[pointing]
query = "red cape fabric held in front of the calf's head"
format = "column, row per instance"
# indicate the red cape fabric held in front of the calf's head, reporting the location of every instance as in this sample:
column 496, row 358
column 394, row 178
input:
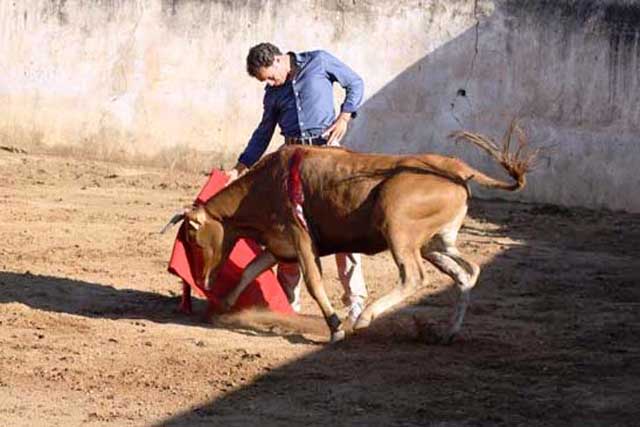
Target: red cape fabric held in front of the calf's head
column 186, row 263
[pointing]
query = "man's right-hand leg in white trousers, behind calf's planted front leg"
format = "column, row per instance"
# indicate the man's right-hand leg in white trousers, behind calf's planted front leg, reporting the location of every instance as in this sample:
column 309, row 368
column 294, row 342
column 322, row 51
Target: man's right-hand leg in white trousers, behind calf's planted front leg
column 355, row 290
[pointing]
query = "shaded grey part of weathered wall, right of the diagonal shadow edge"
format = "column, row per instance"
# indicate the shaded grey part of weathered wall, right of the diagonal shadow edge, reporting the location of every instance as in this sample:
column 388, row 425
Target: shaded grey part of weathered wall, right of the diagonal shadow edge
column 570, row 68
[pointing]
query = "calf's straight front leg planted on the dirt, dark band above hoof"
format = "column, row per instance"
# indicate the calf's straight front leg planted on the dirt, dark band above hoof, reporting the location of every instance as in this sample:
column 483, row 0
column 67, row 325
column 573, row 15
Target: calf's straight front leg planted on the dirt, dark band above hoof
column 310, row 265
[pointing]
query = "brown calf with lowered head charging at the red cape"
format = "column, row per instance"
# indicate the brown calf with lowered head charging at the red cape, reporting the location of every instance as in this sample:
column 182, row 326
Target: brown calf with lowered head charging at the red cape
column 412, row 205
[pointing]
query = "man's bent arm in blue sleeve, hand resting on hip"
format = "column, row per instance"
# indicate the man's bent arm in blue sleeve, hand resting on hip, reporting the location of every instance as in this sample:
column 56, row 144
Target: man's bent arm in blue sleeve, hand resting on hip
column 353, row 84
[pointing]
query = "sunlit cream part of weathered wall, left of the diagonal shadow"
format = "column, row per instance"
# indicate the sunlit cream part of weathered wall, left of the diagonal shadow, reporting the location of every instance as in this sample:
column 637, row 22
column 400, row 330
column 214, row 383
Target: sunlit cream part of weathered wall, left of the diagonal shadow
column 141, row 75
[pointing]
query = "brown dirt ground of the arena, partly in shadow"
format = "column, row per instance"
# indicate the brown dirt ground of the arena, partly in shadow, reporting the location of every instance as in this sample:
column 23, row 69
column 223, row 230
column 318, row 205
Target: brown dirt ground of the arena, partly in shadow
column 89, row 334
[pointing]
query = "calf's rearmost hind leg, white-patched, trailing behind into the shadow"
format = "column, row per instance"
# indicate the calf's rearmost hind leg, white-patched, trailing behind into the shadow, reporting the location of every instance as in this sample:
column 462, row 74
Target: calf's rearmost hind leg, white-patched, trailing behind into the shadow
column 445, row 256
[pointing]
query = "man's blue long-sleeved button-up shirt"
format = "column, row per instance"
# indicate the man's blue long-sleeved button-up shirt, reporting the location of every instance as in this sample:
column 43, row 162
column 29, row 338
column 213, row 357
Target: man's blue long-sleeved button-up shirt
column 303, row 105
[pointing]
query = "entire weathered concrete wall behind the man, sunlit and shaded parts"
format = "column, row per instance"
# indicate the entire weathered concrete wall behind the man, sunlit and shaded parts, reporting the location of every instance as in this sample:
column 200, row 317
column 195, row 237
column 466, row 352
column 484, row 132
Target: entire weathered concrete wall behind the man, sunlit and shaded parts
column 140, row 76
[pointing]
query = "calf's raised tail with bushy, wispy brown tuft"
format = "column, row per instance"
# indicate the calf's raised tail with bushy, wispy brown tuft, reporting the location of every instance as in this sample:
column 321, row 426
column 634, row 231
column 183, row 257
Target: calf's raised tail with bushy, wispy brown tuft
column 516, row 162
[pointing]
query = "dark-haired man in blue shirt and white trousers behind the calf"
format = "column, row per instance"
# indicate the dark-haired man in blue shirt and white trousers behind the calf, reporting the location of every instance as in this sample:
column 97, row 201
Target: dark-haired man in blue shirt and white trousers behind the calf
column 299, row 98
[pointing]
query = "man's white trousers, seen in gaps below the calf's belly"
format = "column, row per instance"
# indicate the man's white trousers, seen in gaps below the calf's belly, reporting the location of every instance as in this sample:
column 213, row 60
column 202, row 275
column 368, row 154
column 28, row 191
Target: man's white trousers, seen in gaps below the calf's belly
column 349, row 272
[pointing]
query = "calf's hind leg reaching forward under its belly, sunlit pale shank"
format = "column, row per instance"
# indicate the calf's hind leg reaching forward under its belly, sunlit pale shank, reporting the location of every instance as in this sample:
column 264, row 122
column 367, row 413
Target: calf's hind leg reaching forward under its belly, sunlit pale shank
column 409, row 264
